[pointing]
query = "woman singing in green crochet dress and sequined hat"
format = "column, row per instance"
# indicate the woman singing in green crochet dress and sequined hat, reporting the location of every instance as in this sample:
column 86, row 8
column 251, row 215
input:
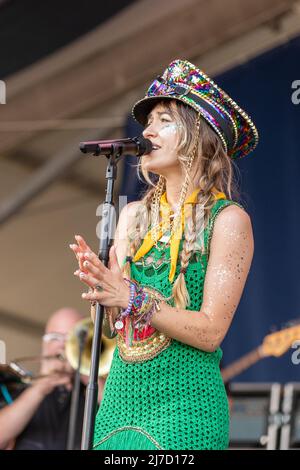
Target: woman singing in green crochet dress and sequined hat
column 177, row 270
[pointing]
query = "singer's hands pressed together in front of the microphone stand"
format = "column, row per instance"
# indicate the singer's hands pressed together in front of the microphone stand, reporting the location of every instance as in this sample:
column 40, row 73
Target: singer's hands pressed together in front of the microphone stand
column 93, row 273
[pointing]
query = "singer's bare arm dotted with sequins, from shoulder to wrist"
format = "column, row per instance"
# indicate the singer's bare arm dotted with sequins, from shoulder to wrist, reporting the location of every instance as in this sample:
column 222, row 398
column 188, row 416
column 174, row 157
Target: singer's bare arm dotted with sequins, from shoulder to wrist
column 231, row 254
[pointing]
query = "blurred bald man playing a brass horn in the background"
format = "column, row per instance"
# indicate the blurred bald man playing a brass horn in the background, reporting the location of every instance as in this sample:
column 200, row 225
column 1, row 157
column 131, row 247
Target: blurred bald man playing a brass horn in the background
column 39, row 417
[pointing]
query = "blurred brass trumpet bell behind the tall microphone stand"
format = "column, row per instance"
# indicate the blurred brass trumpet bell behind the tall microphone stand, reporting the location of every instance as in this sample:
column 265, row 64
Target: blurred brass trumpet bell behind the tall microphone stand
column 72, row 348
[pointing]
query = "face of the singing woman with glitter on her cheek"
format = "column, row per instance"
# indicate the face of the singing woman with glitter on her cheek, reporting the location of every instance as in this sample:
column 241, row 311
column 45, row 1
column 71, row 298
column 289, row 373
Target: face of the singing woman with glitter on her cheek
column 162, row 130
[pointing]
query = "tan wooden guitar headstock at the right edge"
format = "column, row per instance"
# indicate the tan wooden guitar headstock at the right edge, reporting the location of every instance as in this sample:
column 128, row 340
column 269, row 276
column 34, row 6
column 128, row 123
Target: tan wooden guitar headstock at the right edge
column 279, row 342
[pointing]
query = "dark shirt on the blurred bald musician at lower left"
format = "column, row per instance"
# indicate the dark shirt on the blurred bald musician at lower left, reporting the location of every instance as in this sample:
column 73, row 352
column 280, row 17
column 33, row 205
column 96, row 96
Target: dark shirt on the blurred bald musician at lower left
column 48, row 428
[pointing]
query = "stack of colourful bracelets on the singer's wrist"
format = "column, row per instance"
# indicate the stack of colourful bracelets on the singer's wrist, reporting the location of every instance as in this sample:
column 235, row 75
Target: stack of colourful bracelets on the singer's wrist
column 138, row 314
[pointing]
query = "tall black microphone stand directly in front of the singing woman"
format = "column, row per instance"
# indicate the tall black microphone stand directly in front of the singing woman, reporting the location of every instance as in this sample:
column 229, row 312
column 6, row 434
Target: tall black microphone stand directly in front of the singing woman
column 105, row 233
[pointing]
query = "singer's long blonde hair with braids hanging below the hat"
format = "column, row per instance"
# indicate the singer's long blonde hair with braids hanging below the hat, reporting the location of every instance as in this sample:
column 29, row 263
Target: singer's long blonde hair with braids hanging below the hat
column 212, row 168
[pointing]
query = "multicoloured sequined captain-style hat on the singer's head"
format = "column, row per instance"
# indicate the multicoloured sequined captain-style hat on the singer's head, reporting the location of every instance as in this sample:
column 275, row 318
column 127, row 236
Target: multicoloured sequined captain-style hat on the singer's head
column 183, row 81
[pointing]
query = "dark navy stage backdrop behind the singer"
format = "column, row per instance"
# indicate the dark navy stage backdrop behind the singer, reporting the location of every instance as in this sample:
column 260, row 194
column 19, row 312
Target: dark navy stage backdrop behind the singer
column 270, row 190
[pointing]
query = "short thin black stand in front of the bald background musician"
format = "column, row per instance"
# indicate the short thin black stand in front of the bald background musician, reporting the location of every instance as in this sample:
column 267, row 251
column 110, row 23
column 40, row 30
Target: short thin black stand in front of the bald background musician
column 81, row 336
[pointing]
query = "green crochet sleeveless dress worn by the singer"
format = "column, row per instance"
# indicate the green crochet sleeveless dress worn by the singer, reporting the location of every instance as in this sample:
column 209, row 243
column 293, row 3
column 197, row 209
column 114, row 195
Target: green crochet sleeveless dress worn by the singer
column 176, row 400
